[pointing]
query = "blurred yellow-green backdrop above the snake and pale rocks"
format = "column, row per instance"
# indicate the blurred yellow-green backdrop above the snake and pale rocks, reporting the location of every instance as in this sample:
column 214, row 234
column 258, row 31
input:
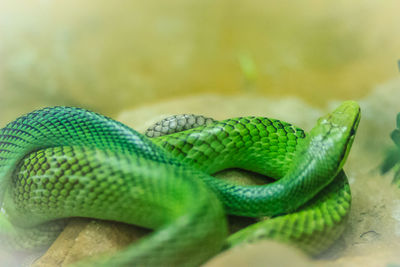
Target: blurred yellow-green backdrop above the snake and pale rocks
column 113, row 55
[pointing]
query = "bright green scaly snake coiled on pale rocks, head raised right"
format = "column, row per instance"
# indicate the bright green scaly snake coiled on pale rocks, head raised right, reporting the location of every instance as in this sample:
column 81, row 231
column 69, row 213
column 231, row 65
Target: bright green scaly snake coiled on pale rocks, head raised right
column 63, row 162
